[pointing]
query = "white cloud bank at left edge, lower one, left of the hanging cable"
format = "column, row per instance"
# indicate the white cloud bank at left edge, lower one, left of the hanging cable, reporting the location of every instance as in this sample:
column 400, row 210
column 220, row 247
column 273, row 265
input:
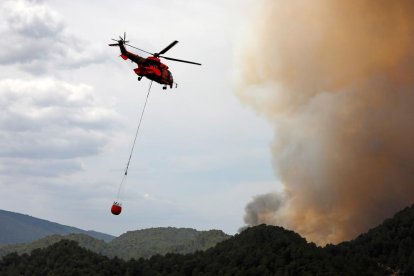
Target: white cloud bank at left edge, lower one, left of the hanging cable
column 51, row 121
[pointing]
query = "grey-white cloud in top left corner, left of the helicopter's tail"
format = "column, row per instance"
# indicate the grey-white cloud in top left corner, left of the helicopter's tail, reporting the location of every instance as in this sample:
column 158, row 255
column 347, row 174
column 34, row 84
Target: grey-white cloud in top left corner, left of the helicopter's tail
column 34, row 37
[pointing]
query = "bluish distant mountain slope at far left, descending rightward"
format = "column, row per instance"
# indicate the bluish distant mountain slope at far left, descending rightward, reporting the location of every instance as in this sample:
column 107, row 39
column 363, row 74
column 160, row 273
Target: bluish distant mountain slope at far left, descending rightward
column 19, row 228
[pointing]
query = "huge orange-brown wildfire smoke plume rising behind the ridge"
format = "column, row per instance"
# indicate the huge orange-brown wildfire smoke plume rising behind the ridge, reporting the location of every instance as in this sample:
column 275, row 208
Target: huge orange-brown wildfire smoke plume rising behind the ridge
column 336, row 79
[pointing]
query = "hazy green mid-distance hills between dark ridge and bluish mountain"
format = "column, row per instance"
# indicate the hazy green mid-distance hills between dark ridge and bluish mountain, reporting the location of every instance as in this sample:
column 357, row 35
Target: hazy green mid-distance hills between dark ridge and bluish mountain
column 134, row 244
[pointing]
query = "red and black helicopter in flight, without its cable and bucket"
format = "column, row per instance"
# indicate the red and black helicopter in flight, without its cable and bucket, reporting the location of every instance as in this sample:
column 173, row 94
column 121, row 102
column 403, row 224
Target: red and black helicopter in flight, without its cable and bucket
column 150, row 67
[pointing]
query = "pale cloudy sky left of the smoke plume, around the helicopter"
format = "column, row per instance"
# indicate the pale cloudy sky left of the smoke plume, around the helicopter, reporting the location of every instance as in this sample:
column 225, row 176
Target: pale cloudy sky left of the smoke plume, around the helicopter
column 70, row 107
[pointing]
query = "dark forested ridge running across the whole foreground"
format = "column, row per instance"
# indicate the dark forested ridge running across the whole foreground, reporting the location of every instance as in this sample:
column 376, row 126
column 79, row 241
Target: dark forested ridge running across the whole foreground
column 261, row 250
